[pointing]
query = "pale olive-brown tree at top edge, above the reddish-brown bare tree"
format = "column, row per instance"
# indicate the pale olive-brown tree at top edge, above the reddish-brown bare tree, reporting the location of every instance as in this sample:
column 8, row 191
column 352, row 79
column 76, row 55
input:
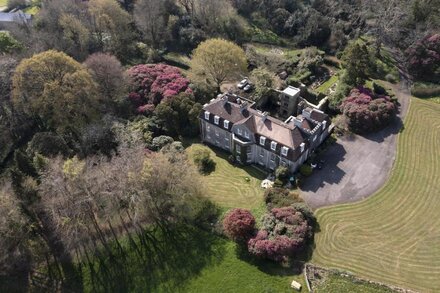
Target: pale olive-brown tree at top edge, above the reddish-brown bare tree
column 111, row 27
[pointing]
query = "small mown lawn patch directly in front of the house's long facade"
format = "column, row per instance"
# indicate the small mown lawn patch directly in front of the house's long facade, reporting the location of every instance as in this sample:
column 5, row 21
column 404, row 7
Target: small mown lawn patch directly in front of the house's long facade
column 232, row 186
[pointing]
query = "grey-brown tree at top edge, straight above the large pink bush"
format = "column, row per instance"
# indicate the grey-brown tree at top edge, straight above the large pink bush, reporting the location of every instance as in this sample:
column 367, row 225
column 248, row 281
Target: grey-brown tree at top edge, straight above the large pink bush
column 151, row 18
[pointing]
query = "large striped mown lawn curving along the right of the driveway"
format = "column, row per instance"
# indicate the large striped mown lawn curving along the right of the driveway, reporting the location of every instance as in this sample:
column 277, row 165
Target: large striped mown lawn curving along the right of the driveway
column 393, row 236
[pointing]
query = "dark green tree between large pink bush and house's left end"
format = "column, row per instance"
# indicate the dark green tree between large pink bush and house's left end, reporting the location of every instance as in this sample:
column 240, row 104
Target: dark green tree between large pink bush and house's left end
column 180, row 115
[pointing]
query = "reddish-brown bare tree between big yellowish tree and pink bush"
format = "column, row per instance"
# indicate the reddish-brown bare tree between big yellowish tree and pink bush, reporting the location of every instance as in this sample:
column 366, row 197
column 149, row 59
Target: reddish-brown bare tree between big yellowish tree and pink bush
column 108, row 73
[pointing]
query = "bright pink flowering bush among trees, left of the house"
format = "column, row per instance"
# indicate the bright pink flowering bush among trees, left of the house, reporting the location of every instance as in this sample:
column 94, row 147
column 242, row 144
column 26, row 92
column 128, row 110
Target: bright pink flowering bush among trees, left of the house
column 153, row 83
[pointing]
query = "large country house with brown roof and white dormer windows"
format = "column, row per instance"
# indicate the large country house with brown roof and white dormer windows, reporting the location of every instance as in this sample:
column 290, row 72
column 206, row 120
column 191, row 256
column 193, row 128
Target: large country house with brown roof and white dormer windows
column 231, row 123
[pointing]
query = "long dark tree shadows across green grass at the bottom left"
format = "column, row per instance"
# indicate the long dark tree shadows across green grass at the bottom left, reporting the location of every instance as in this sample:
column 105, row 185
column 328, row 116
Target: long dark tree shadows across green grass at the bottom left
column 165, row 265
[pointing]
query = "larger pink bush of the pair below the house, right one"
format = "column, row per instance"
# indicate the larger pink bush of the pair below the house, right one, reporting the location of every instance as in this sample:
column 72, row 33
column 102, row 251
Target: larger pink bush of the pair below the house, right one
column 285, row 232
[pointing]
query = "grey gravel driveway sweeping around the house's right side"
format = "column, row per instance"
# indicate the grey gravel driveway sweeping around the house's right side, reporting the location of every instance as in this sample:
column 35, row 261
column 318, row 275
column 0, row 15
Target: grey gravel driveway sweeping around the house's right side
column 356, row 166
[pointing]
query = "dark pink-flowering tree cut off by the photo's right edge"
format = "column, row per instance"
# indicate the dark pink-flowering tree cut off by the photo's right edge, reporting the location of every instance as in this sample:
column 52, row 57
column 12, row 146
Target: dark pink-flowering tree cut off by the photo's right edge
column 424, row 58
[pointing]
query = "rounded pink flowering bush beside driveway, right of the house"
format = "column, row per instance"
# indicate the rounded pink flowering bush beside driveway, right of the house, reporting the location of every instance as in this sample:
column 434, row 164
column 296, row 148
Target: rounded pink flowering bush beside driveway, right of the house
column 367, row 111
